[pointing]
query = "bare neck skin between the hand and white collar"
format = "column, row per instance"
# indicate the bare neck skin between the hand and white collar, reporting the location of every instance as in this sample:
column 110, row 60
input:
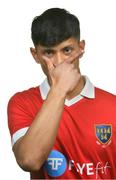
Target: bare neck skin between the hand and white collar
column 77, row 90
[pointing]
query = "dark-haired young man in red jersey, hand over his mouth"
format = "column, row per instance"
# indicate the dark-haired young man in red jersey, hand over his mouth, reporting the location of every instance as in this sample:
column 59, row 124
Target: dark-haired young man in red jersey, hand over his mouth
column 66, row 127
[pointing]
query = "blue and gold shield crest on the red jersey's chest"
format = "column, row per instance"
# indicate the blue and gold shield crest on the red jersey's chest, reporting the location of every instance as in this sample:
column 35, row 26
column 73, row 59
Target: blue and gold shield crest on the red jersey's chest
column 103, row 133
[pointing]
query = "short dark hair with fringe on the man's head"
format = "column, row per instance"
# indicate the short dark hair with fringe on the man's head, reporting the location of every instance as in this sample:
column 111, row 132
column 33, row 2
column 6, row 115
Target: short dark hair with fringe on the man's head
column 54, row 26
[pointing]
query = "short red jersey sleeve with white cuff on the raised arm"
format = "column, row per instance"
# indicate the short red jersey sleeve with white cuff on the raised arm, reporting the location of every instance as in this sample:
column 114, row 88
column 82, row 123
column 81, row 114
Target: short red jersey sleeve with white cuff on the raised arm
column 19, row 116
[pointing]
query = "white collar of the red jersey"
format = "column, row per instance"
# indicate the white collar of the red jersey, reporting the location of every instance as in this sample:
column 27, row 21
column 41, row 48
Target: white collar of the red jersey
column 88, row 91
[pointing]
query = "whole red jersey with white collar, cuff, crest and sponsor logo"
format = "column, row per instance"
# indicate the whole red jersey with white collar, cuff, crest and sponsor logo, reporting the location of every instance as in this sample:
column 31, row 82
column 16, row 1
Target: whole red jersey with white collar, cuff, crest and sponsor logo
column 85, row 146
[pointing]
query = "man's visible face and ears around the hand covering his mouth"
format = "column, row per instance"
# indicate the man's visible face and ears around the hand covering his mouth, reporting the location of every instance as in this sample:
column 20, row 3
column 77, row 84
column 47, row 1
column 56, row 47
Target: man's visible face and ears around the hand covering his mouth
column 58, row 54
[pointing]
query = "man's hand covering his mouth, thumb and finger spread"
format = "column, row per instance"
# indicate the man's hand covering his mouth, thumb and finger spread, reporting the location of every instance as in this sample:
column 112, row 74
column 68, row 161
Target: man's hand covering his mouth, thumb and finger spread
column 65, row 75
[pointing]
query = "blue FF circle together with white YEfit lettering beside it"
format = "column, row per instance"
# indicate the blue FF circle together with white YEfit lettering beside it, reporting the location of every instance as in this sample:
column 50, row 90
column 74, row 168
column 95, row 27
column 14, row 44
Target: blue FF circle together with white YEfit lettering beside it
column 56, row 165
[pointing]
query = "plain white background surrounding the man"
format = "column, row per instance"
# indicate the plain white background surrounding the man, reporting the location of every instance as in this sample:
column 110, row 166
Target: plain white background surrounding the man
column 18, row 70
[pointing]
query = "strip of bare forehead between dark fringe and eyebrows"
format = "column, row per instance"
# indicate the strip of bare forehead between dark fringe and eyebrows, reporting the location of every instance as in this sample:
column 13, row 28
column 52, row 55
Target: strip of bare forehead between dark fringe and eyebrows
column 69, row 42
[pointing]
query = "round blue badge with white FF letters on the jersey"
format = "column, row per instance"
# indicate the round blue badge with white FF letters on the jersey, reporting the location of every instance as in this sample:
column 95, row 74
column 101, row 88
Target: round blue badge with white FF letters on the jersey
column 56, row 164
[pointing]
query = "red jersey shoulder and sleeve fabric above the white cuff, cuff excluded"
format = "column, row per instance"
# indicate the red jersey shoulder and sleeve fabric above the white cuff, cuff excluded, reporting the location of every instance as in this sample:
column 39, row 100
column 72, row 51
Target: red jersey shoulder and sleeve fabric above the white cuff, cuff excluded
column 22, row 108
